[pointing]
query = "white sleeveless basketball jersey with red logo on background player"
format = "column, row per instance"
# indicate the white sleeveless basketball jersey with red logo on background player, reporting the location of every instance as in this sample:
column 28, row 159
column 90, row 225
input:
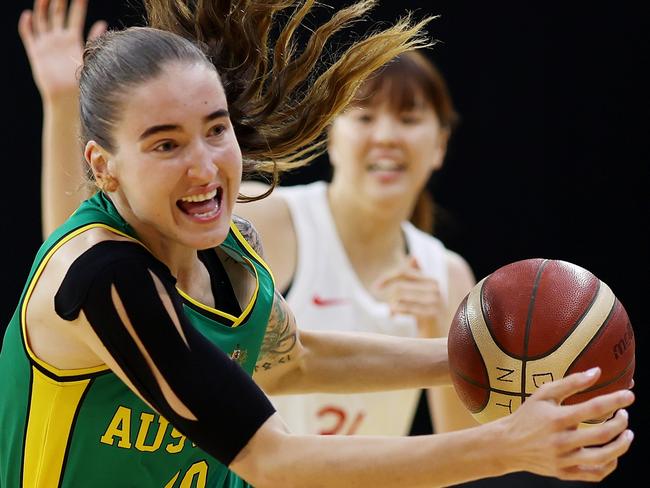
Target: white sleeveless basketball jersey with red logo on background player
column 326, row 294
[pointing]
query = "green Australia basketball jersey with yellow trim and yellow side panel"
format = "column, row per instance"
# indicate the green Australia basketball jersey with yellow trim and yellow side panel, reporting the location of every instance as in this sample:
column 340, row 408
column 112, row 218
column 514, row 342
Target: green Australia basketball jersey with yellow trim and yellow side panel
column 85, row 428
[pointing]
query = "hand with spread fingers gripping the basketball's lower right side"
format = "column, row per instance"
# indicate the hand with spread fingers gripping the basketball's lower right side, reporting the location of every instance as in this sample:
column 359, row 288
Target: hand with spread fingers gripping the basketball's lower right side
column 546, row 438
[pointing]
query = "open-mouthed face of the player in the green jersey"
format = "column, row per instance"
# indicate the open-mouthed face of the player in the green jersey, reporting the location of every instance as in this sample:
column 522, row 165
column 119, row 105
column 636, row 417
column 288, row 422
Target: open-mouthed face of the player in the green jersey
column 177, row 162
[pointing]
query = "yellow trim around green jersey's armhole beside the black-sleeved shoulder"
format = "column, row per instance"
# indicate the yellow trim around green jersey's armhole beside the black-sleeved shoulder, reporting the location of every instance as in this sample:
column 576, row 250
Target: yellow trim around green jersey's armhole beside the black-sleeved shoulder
column 28, row 294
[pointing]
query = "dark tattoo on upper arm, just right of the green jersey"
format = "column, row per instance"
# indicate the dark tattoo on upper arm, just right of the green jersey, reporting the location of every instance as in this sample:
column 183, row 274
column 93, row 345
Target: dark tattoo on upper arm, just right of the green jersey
column 281, row 336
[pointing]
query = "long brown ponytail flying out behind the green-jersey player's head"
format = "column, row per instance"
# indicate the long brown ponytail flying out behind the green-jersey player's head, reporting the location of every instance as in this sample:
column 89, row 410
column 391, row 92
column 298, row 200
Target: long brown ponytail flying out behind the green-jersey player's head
column 278, row 105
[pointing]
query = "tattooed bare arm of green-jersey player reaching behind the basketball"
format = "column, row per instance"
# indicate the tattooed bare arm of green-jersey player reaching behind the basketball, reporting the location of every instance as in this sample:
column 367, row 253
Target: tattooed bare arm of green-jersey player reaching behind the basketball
column 300, row 361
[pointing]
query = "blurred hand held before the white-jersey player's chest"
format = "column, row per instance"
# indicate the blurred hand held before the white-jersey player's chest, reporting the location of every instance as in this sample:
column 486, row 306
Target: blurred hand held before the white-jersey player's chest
column 407, row 290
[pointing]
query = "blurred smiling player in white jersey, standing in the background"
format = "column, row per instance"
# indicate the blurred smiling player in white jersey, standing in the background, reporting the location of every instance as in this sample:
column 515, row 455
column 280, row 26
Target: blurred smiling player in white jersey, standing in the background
column 348, row 258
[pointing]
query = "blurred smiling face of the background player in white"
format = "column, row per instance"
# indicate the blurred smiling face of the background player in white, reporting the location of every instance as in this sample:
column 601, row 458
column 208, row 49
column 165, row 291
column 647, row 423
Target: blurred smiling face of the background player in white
column 382, row 153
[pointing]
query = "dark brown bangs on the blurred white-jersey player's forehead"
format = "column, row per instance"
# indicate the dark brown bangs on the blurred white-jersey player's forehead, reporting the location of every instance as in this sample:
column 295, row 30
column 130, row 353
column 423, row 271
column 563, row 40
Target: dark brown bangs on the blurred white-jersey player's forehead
column 409, row 82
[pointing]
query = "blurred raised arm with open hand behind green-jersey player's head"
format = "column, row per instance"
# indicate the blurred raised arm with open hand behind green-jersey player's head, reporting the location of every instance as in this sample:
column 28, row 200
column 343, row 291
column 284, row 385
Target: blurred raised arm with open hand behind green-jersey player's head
column 53, row 38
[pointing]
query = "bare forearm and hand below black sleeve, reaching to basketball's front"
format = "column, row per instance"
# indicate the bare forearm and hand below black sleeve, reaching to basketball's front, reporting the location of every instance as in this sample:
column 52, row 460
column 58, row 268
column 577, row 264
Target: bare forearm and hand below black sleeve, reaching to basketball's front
column 541, row 437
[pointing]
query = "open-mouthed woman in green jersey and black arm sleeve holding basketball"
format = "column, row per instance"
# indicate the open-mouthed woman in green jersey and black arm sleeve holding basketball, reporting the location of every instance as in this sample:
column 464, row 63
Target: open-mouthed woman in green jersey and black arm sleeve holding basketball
column 144, row 311
